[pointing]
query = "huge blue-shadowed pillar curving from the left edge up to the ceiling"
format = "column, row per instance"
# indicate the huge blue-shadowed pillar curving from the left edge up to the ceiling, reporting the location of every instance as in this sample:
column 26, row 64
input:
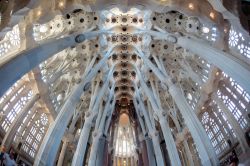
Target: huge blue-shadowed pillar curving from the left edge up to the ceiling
column 27, row 60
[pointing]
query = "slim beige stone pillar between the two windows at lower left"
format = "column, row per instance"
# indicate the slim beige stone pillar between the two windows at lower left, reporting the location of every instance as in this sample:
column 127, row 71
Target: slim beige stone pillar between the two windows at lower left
column 9, row 136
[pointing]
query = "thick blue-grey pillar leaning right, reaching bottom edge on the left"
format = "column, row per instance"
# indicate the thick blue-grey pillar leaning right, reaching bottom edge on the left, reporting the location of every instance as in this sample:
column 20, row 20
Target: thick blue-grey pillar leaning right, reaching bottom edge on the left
column 51, row 142
